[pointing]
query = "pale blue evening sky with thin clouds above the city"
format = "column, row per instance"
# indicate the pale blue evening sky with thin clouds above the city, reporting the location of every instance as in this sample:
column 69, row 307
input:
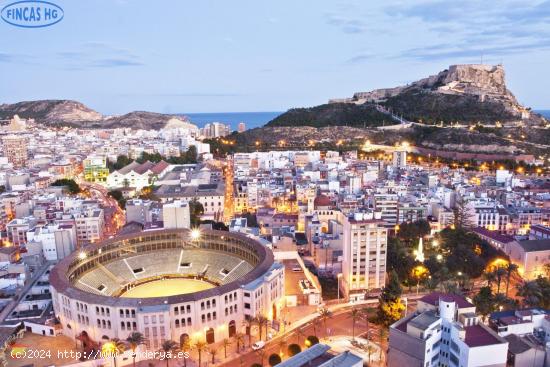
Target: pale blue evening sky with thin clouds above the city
column 177, row 56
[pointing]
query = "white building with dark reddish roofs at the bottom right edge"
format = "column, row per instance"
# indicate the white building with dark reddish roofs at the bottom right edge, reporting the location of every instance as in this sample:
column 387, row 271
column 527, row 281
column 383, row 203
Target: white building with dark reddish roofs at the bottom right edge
column 444, row 331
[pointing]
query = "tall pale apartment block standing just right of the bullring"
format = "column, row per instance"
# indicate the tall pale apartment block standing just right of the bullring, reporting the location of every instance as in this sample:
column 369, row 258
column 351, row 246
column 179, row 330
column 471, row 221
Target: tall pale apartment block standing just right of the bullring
column 364, row 255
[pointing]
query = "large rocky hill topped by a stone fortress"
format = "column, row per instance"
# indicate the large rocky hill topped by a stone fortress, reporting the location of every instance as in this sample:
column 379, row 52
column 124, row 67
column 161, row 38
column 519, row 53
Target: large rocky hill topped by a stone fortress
column 465, row 94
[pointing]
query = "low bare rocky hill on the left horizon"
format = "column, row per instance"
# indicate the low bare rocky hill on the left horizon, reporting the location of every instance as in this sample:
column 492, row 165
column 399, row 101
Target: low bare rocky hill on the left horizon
column 75, row 114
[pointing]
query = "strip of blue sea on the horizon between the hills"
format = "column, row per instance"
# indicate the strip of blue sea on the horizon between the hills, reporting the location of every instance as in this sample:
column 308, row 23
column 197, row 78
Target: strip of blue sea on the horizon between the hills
column 251, row 119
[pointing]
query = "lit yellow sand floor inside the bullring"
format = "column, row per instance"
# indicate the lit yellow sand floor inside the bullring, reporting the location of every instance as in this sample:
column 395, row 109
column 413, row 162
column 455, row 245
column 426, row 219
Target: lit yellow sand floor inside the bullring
column 167, row 287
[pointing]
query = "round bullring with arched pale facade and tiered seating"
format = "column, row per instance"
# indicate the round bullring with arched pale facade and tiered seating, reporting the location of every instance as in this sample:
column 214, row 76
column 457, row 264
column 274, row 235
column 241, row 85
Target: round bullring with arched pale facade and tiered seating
column 237, row 276
